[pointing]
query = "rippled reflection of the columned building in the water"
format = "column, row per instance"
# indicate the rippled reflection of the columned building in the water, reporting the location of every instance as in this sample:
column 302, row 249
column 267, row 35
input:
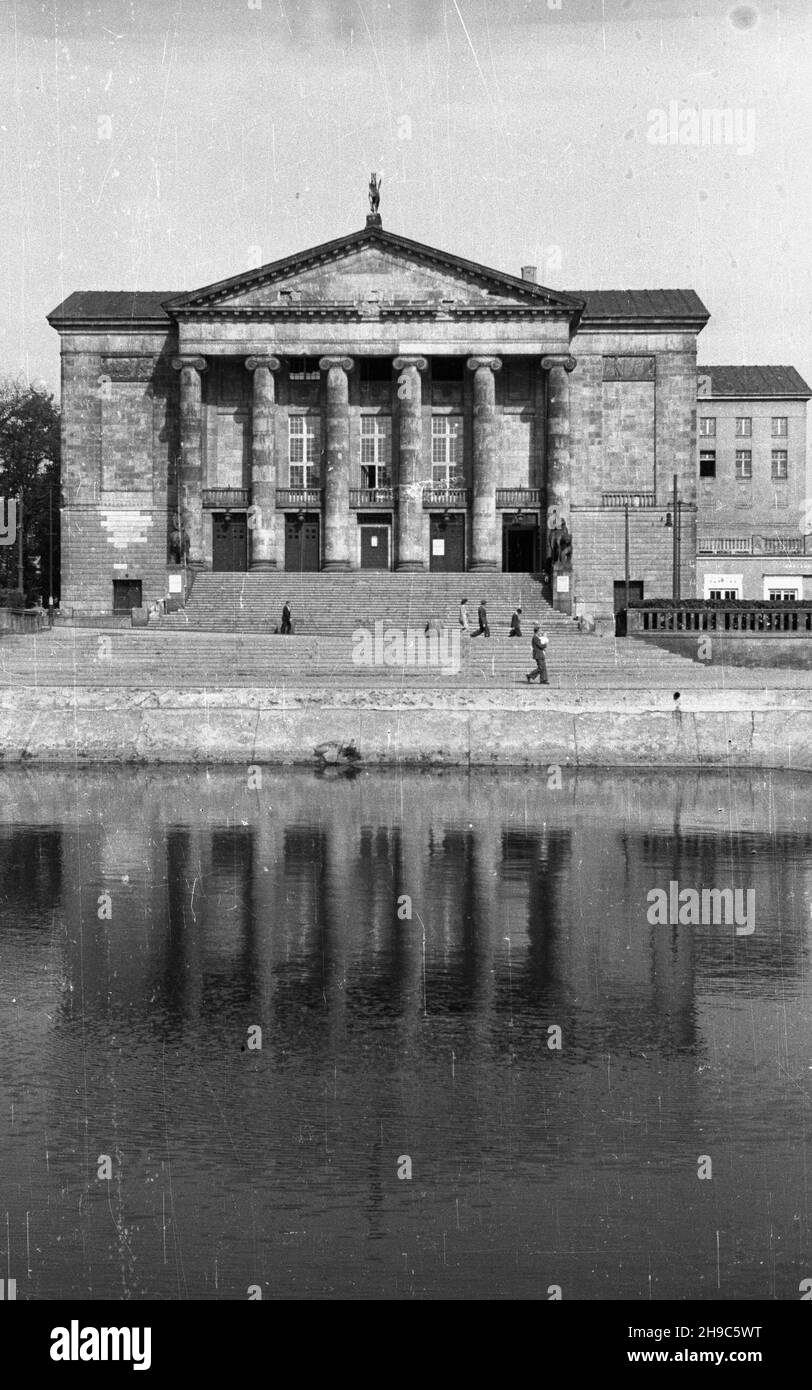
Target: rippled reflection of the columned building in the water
column 238, row 907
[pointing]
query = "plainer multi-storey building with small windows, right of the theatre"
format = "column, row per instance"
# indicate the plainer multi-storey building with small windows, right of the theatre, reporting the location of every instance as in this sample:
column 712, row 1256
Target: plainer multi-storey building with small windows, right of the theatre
column 754, row 526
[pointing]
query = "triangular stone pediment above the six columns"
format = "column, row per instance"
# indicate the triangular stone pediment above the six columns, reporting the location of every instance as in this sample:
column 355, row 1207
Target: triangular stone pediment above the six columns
column 373, row 268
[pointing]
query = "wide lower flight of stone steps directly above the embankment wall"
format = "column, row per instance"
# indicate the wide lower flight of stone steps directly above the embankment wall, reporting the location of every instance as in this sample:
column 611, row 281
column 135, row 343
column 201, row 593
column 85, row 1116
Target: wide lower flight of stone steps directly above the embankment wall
column 168, row 658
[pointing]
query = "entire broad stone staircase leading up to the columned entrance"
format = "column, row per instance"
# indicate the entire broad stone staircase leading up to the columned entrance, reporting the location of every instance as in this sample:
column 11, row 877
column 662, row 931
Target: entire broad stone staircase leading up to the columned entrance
column 226, row 639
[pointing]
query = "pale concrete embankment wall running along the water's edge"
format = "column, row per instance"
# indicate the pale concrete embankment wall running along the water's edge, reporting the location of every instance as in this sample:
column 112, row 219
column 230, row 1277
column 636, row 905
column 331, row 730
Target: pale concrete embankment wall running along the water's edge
column 745, row 728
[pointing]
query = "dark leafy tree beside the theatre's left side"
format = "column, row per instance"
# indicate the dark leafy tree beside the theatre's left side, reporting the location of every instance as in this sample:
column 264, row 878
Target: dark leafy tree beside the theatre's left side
column 30, row 468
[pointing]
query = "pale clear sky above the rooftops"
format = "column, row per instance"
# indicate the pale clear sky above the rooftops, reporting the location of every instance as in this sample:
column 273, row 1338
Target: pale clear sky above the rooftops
column 170, row 144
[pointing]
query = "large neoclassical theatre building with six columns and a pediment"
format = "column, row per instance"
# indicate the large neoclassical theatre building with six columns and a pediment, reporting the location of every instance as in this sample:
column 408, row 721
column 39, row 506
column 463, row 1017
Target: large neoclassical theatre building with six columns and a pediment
column 376, row 404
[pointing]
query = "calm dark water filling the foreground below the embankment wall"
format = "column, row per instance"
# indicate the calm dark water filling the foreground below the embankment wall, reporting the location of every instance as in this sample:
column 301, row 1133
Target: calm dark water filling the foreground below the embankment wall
column 403, row 1036
